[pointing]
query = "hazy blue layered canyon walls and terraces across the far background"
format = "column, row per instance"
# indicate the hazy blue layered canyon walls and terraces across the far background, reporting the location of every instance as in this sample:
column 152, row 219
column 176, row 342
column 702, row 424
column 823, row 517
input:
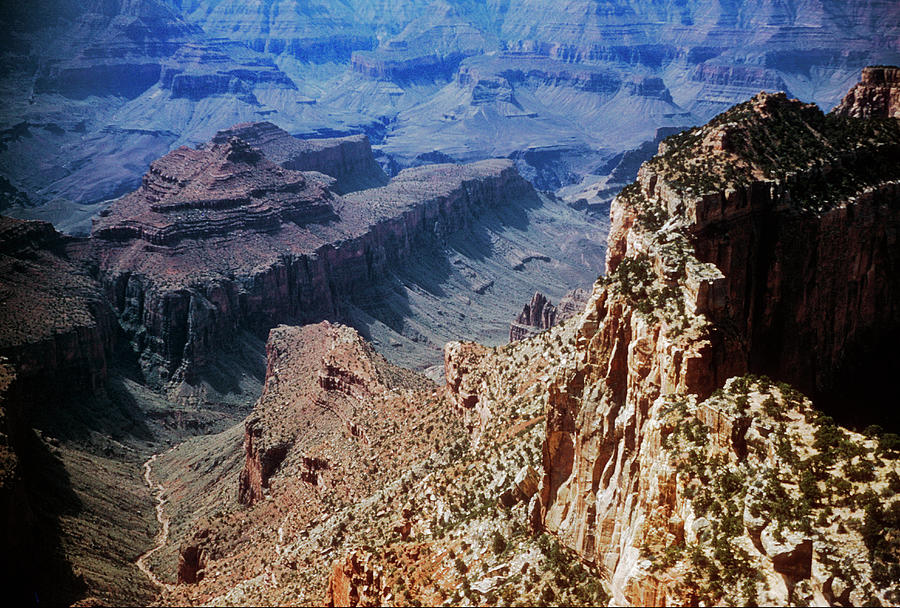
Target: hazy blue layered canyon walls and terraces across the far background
column 96, row 91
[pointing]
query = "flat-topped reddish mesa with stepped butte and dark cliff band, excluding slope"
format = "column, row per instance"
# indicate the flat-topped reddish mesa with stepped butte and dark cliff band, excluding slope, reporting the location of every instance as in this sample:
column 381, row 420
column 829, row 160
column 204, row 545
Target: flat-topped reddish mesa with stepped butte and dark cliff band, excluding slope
column 221, row 239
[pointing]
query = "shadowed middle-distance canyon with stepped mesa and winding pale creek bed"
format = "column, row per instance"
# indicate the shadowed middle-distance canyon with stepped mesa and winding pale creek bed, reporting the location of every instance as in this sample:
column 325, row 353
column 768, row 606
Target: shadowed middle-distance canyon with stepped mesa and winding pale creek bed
column 154, row 327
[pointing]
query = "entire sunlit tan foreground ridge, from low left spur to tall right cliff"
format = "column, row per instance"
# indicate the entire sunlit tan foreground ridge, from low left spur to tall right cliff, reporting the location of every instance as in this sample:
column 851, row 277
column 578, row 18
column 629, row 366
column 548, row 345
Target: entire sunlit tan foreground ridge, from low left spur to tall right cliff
column 641, row 452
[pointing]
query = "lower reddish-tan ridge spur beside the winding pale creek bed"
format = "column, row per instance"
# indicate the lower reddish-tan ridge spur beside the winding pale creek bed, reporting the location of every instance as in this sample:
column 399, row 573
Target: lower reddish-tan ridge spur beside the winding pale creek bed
column 336, row 424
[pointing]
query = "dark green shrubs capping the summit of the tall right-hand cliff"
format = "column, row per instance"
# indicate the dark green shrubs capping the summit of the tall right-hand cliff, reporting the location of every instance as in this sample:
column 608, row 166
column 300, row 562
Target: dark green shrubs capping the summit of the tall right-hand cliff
column 785, row 141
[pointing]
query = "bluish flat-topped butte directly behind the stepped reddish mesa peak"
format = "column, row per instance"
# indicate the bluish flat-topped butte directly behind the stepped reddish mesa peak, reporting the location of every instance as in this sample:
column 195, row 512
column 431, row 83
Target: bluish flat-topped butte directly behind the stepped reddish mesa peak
column 347, row 159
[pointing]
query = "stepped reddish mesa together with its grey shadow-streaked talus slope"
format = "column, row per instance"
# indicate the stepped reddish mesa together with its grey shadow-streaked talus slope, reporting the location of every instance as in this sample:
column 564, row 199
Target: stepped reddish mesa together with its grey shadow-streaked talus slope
column 221, row 239
